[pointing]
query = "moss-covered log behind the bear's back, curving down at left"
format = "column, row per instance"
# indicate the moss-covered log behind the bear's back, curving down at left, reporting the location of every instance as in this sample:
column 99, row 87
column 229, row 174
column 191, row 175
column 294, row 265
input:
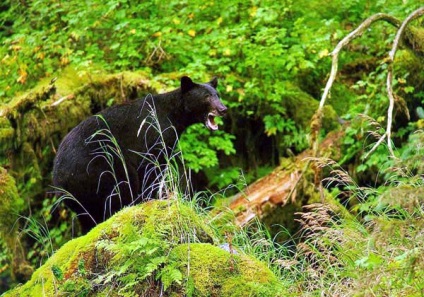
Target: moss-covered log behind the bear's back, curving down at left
column 32, row 125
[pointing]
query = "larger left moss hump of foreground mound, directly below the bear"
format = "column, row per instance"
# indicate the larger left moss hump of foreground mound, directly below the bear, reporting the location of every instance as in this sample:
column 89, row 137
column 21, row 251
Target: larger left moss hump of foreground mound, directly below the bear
column 87, row 262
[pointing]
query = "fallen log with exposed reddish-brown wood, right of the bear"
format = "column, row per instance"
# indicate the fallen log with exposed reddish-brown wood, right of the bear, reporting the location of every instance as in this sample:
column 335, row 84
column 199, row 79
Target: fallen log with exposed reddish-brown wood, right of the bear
column 285, row 185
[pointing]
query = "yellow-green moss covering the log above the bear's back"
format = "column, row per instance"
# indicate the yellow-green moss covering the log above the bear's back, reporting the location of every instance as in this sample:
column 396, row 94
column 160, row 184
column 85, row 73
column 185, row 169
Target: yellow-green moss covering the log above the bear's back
column 53, row 108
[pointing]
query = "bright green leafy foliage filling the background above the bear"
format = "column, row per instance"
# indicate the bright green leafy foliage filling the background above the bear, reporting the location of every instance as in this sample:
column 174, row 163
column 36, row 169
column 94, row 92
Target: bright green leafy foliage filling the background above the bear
column 255, row 47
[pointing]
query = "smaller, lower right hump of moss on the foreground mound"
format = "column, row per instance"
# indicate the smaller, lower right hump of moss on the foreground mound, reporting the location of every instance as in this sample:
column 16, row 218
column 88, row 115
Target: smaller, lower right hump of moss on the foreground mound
column 211, row 271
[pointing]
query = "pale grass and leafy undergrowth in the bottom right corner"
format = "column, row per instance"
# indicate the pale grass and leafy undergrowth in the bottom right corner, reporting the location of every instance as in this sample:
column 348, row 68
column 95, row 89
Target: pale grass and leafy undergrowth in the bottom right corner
column 375, row 248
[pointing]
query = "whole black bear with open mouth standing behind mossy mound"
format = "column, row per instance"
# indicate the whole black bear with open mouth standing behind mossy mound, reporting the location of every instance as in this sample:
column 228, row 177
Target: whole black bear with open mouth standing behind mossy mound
column 115, row 158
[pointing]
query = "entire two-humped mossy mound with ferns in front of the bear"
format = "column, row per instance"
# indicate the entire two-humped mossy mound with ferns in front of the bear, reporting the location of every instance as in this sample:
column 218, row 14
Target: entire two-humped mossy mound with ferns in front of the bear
column 159, row 248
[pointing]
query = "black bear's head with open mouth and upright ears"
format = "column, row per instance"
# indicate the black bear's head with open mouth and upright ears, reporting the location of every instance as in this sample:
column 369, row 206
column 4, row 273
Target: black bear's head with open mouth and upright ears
column 201, row 102
